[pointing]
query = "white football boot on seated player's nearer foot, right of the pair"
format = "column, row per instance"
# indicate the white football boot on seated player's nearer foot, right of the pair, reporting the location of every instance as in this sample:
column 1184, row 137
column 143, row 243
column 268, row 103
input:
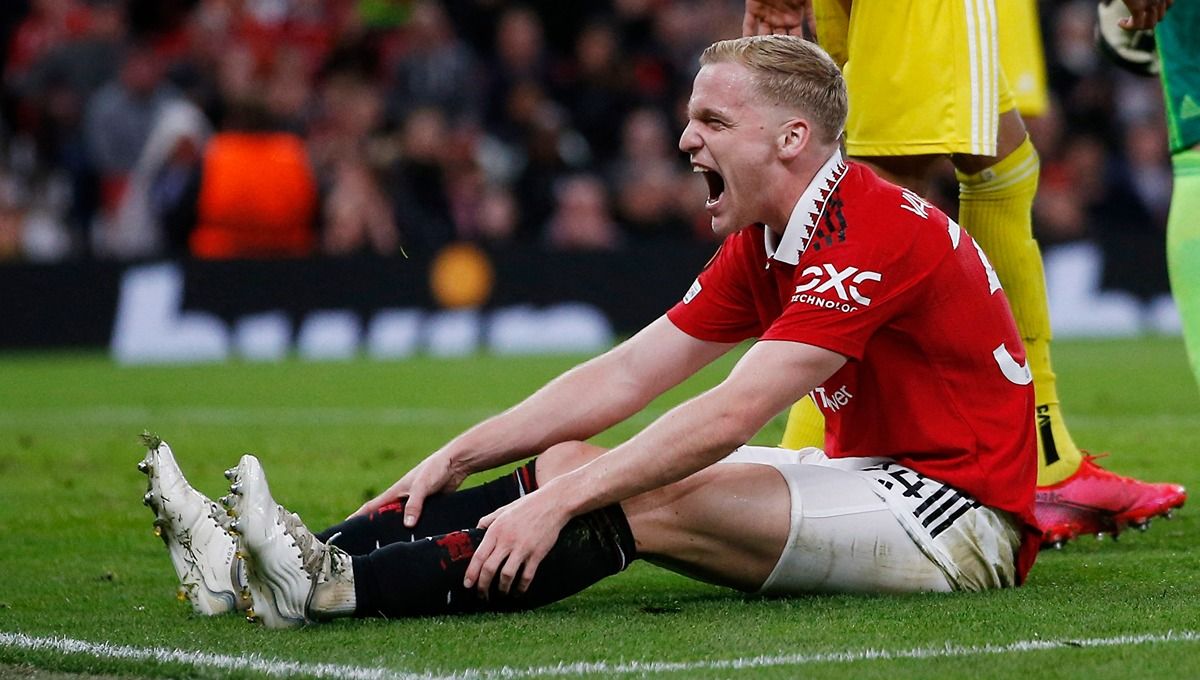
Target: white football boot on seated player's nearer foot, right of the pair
column 293, row 577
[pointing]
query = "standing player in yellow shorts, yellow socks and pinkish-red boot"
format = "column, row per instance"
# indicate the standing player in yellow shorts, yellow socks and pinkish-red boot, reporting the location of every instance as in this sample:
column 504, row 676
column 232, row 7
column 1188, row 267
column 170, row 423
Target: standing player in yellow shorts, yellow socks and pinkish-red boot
column 926, row 86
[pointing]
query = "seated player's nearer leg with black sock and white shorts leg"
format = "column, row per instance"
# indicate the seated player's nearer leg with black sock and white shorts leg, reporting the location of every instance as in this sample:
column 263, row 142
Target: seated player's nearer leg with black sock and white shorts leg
column 728, row 525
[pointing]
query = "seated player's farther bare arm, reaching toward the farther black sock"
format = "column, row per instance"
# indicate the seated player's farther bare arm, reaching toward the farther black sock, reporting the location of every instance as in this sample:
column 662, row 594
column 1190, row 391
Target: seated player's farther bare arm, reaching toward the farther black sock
column 578, row 405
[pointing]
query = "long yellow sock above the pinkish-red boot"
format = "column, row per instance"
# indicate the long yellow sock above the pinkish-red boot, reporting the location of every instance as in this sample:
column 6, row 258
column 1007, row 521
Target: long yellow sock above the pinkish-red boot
column 995, row 207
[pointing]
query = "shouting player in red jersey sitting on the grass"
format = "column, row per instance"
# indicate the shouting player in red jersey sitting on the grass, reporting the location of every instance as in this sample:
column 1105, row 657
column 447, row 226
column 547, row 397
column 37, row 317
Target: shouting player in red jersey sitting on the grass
column 860, row 293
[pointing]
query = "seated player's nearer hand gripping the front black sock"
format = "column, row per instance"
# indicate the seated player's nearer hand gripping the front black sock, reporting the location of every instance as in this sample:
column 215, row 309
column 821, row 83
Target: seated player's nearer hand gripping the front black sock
column 518, row 539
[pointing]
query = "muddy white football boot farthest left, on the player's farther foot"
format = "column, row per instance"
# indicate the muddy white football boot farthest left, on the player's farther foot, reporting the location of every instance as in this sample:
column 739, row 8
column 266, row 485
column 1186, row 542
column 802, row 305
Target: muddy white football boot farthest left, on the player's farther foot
column 195, row 531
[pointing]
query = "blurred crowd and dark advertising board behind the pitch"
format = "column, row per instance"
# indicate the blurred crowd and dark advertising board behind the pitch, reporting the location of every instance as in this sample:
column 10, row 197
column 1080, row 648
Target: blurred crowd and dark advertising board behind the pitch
column 200, row 179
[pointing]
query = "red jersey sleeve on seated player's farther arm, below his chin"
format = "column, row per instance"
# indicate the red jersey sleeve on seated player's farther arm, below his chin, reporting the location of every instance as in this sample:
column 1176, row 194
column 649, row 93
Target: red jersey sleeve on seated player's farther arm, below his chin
column 719, row 306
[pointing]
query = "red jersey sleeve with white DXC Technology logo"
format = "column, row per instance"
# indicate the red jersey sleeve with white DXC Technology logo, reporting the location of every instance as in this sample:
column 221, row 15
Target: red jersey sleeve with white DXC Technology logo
column 849, row 287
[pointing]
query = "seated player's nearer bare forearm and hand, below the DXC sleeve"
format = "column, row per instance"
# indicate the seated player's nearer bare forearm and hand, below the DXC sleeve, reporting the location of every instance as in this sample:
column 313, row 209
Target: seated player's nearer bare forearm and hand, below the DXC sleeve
column 769, row 380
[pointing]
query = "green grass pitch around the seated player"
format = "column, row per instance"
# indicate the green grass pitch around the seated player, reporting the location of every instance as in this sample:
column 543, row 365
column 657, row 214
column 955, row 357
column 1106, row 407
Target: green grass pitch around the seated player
column 79, row 559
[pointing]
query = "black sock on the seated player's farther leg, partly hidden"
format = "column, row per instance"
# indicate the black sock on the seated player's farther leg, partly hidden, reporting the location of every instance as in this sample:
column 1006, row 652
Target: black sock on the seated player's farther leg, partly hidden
column 443, row 514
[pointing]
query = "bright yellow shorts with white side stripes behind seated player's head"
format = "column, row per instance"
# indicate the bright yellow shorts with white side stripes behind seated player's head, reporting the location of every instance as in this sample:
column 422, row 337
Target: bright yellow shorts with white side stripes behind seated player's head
column 925, row 76
